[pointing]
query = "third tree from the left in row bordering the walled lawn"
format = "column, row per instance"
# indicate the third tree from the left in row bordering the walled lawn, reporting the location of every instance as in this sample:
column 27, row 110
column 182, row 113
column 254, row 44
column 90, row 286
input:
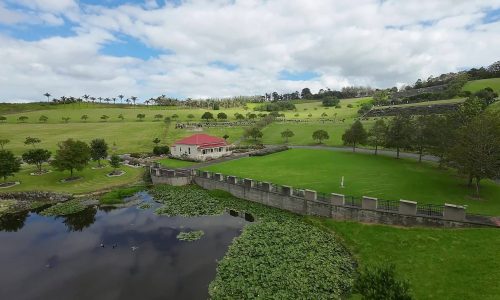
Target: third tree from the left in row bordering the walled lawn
column 399, row 133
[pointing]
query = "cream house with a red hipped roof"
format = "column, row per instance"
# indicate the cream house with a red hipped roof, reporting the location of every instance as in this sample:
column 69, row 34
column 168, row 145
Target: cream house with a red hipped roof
column 200, row 147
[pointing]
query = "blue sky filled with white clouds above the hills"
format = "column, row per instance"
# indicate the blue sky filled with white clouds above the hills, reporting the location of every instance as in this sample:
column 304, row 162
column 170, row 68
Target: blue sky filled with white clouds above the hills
column 225, row 48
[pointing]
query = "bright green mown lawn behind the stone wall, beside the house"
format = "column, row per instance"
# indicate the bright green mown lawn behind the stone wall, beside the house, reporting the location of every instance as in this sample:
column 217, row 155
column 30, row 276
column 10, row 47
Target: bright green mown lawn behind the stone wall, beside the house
column 365, row 175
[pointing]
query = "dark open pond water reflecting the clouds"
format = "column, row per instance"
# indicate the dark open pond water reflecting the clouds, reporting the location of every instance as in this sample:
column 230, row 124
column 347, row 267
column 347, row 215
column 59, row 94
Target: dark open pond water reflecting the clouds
column 62, row 258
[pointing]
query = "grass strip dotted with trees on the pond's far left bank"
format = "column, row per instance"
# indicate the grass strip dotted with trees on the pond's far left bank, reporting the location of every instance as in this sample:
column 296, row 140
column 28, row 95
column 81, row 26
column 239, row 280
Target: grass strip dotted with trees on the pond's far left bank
column 92, row 180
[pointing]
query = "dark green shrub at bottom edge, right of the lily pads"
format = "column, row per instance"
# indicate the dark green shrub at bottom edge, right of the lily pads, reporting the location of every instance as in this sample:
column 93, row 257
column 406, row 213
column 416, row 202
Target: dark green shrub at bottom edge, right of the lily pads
column 381, row 283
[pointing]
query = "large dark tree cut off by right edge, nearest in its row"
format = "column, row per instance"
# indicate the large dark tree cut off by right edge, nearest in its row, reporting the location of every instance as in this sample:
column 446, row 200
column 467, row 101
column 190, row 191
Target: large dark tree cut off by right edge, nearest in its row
column 477, row 148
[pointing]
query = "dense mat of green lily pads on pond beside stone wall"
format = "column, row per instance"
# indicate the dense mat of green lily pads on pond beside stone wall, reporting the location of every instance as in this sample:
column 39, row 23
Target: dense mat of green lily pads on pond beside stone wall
column 280, row 256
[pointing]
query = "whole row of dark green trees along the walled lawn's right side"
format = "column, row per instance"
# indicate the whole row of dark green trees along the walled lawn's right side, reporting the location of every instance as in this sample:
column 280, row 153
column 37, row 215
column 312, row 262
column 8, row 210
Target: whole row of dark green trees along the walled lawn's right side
column 467, row 139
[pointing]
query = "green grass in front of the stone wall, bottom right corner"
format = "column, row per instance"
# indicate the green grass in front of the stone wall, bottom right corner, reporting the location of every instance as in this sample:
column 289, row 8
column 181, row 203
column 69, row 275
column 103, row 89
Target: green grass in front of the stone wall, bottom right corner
column 439, row 263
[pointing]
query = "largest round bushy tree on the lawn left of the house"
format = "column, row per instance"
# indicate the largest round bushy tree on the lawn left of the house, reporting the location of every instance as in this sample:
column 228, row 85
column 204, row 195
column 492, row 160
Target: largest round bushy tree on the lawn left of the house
column 71, row 155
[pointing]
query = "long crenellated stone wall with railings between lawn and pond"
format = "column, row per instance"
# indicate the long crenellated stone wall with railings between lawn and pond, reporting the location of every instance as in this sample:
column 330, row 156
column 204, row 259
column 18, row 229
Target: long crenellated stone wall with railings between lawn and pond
column 368, row 210
